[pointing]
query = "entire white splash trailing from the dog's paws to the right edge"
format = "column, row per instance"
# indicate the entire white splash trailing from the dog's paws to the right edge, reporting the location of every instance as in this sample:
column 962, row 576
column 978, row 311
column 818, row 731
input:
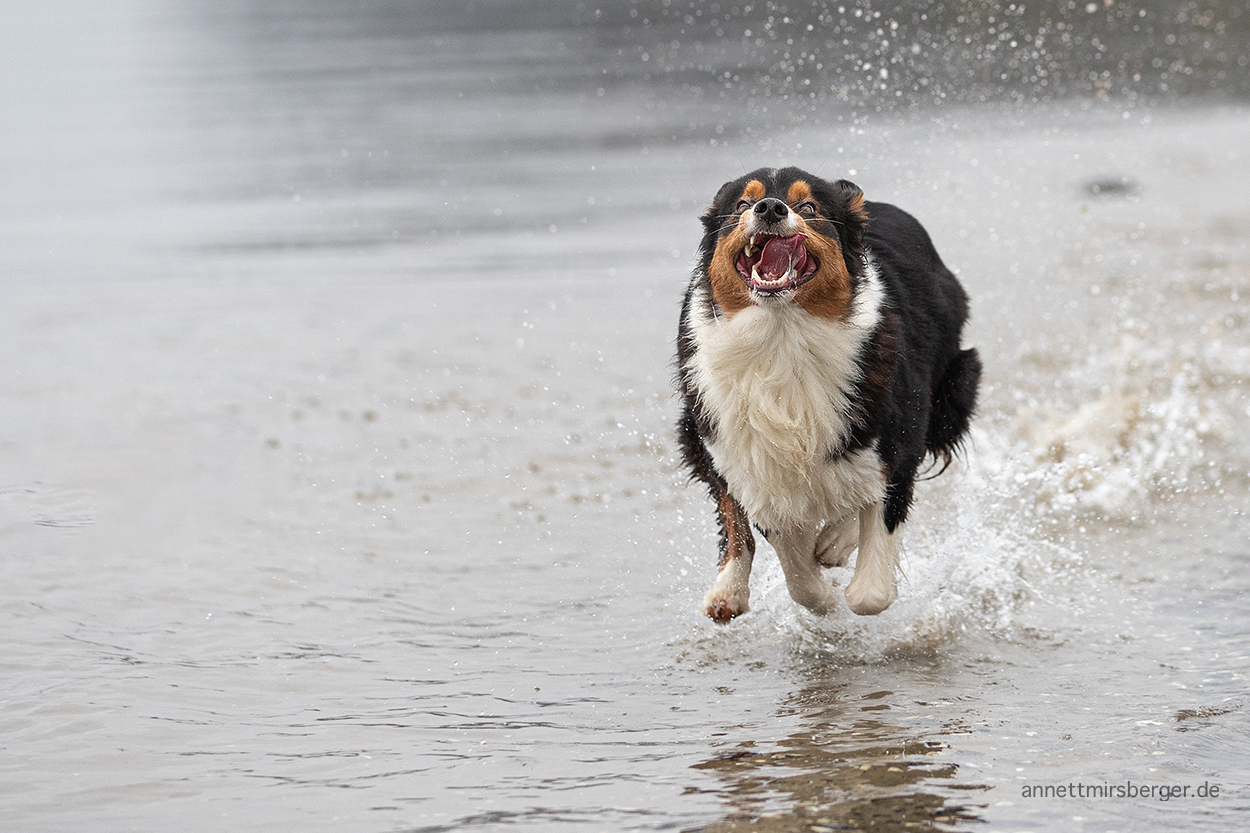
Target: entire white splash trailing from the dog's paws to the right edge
column 997, row 546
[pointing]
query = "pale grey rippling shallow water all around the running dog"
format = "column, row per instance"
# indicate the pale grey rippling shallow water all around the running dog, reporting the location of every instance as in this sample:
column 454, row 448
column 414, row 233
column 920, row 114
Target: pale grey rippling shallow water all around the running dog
column 339, row 486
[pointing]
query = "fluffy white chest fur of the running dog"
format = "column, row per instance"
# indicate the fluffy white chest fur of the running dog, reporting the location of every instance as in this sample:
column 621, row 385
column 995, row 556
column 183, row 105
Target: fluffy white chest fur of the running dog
column 776, row 382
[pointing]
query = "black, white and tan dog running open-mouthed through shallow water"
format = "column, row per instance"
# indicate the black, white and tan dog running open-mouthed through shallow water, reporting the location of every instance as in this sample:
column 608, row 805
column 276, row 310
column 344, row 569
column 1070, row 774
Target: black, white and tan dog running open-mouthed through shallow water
column 819, row 363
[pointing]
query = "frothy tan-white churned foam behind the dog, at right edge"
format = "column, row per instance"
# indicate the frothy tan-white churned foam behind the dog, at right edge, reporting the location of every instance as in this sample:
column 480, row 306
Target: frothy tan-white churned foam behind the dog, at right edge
column 1158, row 425
